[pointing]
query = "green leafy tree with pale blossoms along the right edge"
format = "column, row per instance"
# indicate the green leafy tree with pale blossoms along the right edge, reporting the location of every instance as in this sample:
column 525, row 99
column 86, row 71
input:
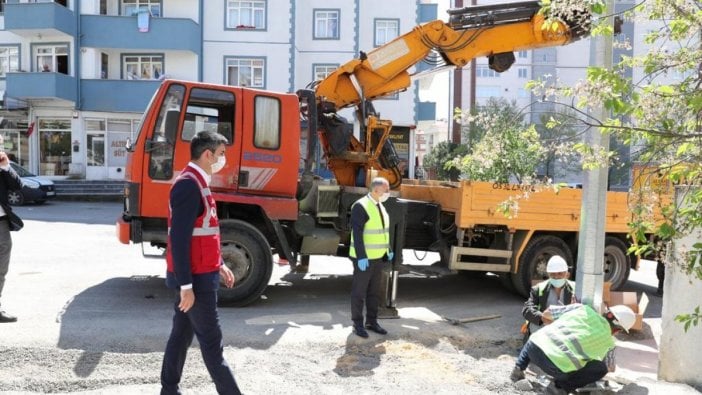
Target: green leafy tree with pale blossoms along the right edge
column 659, row 113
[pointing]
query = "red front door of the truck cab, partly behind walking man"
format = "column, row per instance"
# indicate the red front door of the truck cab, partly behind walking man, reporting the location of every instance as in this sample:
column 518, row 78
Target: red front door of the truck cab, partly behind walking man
column 185, row 111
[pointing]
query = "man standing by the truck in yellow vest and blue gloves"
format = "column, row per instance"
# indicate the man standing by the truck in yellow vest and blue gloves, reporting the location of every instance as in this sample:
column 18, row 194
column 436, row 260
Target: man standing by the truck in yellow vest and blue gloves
column 369, row 249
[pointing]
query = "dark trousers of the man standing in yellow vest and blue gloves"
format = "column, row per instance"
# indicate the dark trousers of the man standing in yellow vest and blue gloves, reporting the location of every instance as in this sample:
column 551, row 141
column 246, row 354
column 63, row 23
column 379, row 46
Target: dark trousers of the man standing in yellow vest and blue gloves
column 366, row 286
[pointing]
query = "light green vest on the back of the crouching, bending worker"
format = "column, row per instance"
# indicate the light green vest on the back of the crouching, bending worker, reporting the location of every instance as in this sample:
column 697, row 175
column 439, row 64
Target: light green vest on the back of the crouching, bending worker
column 577, row 337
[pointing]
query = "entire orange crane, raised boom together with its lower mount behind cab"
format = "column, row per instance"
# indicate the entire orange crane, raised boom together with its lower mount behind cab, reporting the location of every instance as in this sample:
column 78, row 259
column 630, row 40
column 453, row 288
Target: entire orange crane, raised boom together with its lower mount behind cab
column 494, row 31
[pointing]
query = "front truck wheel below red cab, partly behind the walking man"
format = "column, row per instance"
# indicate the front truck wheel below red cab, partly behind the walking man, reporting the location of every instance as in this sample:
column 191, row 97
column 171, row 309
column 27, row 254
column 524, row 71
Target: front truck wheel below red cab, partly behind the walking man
column 247, row 253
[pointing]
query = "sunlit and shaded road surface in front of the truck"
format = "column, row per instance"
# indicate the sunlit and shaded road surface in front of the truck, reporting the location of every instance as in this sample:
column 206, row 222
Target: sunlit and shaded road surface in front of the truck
column 87, row 300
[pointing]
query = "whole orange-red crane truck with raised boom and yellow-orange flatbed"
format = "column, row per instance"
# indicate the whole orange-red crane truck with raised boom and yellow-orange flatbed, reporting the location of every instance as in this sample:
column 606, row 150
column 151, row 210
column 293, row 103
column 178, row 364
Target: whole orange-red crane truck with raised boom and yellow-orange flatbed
column 266, row 206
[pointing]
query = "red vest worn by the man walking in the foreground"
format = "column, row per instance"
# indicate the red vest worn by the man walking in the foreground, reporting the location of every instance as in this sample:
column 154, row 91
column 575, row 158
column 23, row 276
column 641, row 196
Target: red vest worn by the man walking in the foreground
column 205, row 250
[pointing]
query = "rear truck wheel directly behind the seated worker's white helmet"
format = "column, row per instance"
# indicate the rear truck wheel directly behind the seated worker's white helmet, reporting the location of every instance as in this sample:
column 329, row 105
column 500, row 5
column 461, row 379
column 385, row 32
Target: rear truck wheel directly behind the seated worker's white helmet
column 532, row 264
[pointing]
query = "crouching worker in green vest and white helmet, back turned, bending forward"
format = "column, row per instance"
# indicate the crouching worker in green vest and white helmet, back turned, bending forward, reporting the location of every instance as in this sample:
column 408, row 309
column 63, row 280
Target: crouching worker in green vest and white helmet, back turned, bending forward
column 573, row 348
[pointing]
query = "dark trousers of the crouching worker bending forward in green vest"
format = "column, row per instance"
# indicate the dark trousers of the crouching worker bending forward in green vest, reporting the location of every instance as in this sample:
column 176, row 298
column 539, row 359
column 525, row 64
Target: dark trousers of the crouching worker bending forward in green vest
column 591, row 372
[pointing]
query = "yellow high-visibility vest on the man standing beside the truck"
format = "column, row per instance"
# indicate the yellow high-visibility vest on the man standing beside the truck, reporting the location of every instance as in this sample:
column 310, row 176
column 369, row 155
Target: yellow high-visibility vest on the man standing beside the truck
column 376, row 237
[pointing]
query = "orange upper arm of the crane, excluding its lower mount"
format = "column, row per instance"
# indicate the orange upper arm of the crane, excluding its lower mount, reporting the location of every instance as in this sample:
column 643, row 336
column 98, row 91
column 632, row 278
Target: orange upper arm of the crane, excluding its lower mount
column 471, row 32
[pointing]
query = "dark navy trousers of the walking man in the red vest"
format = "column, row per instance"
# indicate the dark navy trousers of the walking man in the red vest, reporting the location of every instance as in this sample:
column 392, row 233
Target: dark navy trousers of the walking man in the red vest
column 201, row 321
